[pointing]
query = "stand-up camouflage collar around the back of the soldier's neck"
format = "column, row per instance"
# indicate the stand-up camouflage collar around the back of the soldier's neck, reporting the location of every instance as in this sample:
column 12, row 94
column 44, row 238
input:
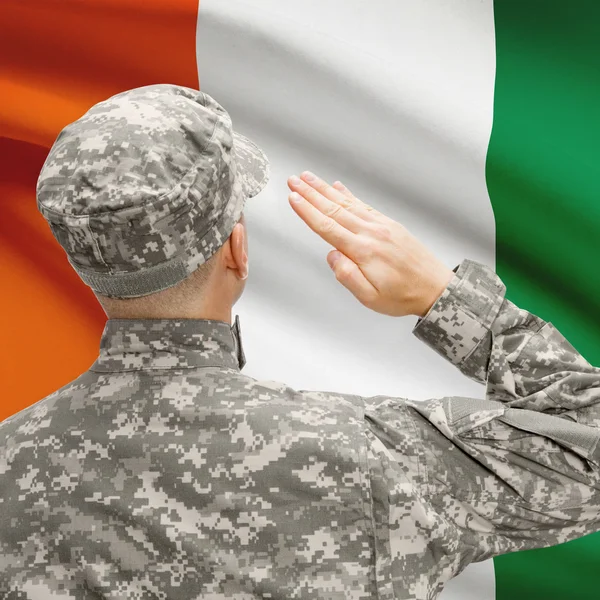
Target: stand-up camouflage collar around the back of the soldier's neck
column 141, row 344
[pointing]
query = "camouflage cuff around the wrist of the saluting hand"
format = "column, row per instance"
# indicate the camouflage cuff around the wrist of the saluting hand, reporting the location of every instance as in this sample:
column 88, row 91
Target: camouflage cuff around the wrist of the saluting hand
column 460, row 318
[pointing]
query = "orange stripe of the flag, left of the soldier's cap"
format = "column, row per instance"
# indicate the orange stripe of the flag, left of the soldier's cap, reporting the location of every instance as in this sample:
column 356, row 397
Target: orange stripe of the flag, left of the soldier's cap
column 60, row 59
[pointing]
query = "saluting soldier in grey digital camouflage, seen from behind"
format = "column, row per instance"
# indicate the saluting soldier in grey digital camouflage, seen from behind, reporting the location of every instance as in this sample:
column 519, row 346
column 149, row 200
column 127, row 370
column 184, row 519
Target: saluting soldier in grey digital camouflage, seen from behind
column 164, row 472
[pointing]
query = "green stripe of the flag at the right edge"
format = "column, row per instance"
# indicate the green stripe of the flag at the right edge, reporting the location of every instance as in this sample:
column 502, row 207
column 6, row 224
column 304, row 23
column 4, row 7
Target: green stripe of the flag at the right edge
column 543, row 179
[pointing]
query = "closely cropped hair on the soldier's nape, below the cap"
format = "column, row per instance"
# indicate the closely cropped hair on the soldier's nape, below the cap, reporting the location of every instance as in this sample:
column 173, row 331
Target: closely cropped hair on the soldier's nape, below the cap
column 179, row 296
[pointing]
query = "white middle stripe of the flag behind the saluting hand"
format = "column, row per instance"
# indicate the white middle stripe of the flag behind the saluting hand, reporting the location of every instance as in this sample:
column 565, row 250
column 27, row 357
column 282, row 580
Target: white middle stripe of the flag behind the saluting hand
column 394, row 98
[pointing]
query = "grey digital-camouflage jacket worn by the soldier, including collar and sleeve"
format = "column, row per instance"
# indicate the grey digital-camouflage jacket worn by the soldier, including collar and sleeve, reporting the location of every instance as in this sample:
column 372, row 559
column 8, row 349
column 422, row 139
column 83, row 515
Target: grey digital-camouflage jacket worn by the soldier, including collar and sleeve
column 163, row 472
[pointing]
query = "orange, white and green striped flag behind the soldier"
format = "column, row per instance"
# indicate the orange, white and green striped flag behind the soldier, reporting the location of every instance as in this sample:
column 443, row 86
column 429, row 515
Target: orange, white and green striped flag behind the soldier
column 475, row 124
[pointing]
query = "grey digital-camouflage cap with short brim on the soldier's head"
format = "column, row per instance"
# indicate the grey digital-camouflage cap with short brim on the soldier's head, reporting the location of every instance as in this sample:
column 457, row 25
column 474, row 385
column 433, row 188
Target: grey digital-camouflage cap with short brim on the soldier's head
column 146, row 186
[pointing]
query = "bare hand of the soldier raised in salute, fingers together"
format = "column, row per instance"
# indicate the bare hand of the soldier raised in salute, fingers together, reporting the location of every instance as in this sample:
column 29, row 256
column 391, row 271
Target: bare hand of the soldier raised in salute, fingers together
column 386, row 268
